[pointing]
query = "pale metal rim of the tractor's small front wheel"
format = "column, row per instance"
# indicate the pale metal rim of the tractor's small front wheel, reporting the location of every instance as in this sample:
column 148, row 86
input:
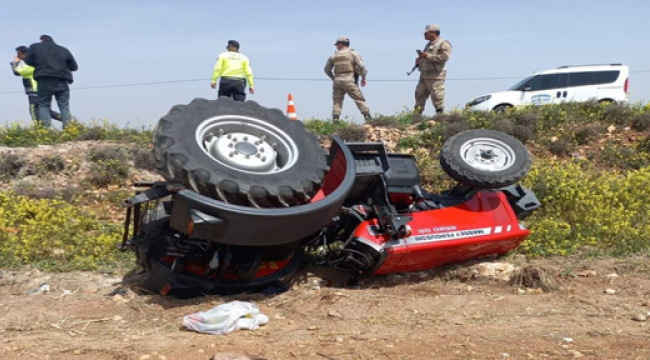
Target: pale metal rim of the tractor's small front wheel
column 487, row 154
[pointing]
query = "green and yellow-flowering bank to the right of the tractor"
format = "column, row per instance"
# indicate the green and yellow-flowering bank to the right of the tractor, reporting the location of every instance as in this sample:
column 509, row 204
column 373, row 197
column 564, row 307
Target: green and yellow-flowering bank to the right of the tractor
column 594, row 194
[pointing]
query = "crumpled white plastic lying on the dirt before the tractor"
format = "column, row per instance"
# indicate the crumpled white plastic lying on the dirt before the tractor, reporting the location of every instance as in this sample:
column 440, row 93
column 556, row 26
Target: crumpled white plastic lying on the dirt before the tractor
column 226, row 318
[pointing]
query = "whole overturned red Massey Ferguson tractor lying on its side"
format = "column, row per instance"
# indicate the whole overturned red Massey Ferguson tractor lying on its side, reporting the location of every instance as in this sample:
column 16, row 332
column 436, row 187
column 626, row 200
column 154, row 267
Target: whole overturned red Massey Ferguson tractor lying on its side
column 248, row 192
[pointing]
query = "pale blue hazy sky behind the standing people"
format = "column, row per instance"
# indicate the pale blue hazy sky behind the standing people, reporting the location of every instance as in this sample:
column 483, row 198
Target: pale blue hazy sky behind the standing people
column 126, row 42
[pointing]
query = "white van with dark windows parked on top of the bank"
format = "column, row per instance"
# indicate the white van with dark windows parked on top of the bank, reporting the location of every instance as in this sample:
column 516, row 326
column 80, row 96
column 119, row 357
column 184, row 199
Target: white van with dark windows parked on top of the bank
column 601, row 83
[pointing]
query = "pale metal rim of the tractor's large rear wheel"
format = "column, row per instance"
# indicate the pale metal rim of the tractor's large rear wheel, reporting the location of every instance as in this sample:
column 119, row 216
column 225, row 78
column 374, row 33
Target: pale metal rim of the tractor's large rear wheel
column 247, row 144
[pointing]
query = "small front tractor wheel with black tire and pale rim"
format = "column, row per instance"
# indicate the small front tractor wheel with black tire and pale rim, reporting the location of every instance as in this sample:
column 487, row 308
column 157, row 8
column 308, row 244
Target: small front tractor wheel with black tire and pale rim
column 485, row 159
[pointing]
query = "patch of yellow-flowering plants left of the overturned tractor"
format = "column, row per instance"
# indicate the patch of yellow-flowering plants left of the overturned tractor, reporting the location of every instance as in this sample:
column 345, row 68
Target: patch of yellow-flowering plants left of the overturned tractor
column 54, row 235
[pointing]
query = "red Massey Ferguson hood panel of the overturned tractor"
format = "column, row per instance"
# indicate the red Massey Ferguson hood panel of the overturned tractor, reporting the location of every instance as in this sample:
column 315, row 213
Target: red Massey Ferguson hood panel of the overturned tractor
column 484, row 225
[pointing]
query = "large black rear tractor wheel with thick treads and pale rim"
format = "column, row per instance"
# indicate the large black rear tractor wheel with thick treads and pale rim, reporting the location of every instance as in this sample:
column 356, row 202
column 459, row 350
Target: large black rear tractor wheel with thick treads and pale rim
column 240, row 153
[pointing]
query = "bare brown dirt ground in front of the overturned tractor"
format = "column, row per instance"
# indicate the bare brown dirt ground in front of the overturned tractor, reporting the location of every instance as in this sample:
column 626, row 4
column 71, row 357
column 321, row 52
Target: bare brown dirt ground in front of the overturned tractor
column 445, row 314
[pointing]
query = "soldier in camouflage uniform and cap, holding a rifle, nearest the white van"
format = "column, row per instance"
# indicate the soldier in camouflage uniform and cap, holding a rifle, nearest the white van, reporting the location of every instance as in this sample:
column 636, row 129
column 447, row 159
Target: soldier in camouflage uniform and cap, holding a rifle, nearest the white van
column 433, row 70
